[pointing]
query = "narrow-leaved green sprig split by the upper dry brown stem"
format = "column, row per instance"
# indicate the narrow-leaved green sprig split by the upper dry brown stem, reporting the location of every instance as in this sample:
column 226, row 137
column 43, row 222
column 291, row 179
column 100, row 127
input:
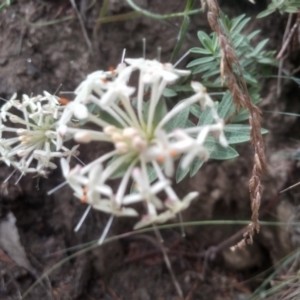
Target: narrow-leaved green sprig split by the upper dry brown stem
column 253, row 60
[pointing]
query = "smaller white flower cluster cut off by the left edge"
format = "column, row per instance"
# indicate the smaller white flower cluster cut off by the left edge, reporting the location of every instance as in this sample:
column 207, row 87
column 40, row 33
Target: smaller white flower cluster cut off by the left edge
column 32, row 141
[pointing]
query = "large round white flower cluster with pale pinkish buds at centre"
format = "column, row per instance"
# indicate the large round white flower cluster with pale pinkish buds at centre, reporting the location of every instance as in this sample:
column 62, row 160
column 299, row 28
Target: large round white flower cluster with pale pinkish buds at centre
column 142, row 143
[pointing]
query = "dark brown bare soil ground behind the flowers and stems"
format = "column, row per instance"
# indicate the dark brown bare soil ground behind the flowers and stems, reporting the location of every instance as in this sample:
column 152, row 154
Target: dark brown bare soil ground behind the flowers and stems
column 37, row 54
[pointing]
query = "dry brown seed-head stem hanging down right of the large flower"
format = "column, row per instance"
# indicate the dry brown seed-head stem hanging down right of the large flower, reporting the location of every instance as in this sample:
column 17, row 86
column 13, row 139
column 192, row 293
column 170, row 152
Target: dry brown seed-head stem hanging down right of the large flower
column 232, row 76
